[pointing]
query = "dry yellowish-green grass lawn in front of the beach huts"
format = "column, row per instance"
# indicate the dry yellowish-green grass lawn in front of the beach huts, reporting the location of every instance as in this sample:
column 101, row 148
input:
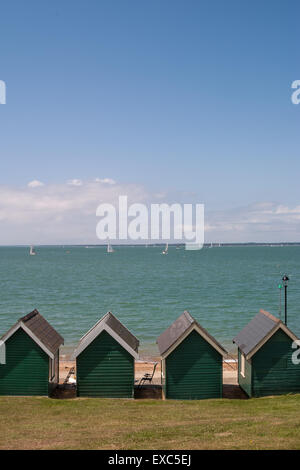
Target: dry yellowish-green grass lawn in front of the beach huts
column 43, row 423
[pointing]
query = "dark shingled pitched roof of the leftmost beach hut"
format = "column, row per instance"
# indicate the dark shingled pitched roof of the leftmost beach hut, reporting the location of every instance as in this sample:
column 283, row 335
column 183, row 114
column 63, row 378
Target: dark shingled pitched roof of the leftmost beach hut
column 39, row 329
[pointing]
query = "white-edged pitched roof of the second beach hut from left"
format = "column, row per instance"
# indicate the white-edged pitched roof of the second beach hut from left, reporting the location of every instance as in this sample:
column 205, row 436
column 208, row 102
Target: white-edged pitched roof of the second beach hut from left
column 116, row 329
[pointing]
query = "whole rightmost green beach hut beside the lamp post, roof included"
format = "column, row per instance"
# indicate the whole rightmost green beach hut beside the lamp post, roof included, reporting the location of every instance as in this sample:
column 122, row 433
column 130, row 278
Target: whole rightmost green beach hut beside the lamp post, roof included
column 265, row 363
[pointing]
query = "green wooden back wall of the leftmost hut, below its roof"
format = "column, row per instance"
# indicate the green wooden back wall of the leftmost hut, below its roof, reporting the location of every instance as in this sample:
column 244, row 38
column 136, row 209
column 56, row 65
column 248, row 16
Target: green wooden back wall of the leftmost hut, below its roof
column 26, row 371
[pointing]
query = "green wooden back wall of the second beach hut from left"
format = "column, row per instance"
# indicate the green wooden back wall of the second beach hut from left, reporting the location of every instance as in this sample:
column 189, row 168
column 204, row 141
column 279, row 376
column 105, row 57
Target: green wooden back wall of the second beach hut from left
column 105, row 369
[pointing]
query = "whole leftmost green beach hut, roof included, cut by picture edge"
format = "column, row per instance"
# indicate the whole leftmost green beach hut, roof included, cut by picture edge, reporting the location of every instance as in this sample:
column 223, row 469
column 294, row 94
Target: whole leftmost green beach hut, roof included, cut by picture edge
column 29, row 357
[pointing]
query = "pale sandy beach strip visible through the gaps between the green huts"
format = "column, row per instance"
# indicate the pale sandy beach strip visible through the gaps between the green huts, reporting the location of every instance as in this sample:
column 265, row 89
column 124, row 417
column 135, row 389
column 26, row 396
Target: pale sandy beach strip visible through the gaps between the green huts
column 146, row 366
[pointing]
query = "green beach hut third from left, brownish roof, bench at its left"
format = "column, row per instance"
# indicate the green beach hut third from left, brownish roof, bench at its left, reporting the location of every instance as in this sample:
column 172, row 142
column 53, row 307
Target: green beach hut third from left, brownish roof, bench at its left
column 191, row 361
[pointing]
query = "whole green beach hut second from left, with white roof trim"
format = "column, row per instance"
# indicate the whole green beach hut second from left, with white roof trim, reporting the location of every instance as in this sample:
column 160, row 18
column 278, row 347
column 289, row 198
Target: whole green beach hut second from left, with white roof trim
column 105, row 360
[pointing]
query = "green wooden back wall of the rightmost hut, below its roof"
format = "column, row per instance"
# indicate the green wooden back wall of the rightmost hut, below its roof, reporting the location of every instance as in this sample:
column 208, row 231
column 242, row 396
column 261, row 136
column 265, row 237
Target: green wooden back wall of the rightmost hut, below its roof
column 273, row 370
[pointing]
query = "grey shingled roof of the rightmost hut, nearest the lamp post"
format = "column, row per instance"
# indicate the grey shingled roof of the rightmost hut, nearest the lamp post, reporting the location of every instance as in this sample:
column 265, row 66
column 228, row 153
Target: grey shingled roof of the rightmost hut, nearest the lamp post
column 258, row 329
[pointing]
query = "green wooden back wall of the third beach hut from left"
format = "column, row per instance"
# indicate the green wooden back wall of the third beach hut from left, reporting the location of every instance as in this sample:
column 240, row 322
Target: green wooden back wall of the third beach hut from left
column 194, row 370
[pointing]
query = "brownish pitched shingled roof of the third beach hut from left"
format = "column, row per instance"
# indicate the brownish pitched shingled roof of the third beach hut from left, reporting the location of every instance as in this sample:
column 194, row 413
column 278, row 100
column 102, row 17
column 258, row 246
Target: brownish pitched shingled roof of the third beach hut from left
column 177, row 330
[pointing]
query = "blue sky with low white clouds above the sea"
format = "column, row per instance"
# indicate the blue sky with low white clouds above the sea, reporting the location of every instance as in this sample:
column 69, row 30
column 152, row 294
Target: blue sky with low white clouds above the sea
column 170, row 101
